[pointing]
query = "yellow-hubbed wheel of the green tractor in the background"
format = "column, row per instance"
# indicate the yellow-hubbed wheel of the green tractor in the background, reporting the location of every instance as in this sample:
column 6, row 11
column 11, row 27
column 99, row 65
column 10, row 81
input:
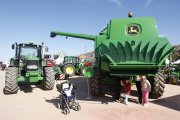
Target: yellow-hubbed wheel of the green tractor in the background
column 69, row 69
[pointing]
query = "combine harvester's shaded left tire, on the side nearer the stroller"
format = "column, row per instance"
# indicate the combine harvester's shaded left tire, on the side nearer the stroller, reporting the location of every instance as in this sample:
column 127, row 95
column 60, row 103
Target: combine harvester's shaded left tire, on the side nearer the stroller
column 95, row 83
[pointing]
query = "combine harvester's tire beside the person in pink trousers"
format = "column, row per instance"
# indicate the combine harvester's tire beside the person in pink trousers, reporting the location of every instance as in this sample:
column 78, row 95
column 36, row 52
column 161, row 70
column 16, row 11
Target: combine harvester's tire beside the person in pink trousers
column 158, row 85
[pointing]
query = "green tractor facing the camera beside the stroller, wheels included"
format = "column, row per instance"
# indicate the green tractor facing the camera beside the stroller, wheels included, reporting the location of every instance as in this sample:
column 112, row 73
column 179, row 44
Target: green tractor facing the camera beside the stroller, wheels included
column 29, row 66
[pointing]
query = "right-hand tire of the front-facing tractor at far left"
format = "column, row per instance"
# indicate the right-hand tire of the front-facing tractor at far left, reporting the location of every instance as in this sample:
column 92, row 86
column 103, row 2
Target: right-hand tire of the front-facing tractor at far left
column 49, row 78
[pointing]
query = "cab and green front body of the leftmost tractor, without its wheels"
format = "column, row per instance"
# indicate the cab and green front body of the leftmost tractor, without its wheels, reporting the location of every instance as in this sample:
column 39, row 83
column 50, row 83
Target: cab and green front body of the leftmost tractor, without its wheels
column 28, row 58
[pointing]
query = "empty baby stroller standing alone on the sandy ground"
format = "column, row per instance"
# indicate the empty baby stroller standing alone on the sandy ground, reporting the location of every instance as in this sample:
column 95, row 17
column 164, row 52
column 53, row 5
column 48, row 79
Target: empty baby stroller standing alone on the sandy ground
column 68, row 97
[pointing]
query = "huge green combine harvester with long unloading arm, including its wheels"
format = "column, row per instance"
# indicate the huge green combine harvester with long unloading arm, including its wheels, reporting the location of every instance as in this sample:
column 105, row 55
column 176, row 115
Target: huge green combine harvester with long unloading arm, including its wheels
column 126, row 48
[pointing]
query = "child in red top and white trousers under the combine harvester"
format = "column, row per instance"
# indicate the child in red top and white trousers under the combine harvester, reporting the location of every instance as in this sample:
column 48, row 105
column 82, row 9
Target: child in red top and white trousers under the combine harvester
column 127, row 90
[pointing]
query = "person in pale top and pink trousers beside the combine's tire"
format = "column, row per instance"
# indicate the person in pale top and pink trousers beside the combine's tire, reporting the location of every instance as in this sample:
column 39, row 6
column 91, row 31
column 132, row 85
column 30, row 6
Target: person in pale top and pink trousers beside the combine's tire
column 146, row 88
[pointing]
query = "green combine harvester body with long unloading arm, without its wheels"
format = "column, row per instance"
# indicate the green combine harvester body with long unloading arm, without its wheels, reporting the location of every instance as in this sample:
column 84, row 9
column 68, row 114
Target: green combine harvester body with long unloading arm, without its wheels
column 128, row 46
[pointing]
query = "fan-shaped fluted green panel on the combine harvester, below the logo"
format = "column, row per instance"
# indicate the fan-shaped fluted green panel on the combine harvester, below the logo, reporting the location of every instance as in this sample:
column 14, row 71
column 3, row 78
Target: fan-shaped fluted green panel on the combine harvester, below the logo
column 139, row 55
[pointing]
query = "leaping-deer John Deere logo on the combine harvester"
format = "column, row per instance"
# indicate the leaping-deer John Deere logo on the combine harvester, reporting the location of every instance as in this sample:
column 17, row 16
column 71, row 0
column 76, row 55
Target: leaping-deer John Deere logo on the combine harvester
column 133, row 30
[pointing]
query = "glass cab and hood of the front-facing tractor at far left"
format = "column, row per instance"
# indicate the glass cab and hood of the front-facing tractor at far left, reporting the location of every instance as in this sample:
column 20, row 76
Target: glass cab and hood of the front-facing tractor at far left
column 28, row 56
